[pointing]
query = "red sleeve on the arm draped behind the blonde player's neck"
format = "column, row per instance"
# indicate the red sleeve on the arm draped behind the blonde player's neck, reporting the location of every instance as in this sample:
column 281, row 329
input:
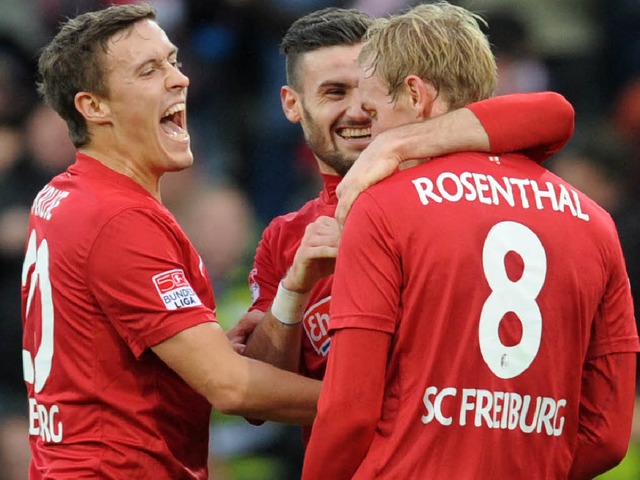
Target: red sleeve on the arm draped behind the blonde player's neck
column 537, row 124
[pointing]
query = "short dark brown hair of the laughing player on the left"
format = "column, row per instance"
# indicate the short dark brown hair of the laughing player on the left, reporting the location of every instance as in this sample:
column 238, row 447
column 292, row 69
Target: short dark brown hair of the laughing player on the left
column 74, row 61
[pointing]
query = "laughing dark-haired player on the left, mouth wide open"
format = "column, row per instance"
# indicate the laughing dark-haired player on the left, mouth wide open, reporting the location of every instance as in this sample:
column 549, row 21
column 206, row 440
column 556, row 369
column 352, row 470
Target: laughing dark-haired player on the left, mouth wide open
column 122, row 354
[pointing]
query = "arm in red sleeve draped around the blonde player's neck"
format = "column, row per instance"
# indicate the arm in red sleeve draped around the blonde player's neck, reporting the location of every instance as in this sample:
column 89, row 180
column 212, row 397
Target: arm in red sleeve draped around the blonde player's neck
column 538, row 124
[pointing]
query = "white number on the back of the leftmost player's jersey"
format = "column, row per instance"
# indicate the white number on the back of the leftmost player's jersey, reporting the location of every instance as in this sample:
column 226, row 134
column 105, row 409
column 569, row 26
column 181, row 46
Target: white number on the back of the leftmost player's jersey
column 36, row 371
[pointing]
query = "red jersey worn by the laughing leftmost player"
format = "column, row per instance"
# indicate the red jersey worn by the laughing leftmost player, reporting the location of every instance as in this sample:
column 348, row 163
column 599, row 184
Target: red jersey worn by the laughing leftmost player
column 108, row 273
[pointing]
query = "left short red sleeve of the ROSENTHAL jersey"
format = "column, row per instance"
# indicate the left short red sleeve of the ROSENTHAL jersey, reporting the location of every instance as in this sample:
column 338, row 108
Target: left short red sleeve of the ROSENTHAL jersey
column 367, row 279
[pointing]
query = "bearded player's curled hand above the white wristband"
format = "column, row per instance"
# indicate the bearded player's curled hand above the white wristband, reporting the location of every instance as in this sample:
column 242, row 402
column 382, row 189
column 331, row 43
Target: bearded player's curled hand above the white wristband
column 316, row 255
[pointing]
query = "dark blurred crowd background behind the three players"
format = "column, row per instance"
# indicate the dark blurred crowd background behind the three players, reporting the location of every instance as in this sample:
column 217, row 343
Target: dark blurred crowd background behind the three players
column 251, row 163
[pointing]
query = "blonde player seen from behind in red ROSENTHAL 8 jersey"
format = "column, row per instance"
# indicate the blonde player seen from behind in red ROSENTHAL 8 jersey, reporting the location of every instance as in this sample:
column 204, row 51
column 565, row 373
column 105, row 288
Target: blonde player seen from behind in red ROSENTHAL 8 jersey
column 470, row 338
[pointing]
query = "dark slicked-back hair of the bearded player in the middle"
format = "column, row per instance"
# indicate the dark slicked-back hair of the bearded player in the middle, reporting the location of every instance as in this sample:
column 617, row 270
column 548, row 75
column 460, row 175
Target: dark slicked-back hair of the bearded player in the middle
column 323, row 28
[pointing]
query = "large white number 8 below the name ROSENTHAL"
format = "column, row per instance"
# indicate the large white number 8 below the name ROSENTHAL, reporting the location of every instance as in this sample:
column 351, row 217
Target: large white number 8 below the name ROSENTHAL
column 506, row 296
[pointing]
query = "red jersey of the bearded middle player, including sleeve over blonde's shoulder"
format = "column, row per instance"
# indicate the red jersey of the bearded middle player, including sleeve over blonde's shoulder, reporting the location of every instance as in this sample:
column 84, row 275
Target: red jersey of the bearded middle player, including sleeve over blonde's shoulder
column 283, row 235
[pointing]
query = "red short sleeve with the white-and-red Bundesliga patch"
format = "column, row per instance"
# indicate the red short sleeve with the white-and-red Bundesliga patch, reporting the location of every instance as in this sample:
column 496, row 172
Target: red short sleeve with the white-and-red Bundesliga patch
column 142, row 279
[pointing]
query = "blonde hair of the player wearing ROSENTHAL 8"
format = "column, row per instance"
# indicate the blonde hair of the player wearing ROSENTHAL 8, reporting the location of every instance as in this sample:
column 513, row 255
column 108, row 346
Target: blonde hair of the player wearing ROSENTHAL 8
column 442, row 44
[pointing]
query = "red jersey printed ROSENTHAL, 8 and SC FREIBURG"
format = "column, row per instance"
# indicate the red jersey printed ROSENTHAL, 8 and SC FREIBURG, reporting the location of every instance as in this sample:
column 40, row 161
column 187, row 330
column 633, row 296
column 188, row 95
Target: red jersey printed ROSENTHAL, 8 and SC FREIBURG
column 495, row 280
